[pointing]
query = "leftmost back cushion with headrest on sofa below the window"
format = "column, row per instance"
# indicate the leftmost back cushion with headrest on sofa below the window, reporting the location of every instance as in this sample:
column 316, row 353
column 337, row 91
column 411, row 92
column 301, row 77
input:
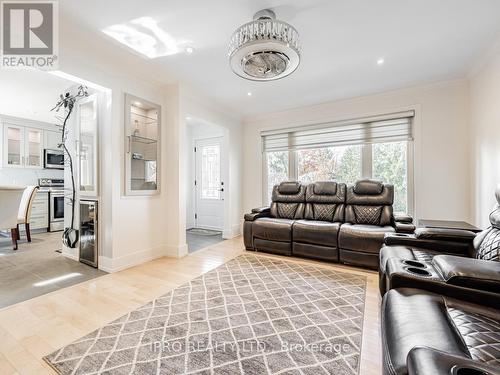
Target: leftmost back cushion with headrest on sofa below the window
column 288, row 200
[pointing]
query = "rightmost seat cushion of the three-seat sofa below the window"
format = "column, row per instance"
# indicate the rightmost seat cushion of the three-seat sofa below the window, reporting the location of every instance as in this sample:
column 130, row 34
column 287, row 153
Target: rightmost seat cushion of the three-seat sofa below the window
column 362, row 237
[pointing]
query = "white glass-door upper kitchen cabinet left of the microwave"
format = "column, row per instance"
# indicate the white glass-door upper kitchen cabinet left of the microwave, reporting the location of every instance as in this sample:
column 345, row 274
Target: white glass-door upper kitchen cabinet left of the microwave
column 22, row 147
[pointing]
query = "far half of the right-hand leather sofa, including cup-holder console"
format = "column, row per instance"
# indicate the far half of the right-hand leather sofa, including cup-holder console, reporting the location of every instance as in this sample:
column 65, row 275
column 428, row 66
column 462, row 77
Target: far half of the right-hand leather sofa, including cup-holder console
column 444, row 260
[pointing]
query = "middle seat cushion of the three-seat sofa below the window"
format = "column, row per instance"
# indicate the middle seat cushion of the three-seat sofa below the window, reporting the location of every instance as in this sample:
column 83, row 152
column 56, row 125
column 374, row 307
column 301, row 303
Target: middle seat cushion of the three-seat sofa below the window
column 316, row 232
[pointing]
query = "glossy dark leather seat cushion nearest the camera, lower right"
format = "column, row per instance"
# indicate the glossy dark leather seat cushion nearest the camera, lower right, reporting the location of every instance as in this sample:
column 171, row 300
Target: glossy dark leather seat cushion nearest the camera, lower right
column 412, row 318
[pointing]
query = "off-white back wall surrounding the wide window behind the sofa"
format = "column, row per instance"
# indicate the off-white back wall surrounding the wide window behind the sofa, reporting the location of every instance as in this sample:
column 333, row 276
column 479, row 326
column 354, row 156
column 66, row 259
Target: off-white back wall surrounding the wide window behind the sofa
column 442, row 172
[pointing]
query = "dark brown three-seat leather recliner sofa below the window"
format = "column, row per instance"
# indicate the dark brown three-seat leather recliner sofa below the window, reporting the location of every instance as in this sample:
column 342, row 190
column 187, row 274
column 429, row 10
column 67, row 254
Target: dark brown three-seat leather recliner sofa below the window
column 326, row 220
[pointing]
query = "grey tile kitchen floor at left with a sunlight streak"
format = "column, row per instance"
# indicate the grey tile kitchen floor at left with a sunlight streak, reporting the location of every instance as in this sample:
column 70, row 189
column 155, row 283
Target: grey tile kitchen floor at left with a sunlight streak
column 36, row 268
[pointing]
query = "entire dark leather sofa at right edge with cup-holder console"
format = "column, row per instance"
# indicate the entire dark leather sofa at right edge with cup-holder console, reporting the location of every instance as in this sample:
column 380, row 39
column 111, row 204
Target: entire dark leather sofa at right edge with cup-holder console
column 451, row 323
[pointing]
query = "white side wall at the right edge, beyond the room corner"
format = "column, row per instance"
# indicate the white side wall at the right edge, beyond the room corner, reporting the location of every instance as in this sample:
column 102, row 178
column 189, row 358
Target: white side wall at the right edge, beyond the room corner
column 485, row 136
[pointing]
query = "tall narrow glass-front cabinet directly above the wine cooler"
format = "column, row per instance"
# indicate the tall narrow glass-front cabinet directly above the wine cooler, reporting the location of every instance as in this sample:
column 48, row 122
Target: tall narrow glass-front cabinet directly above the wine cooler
column 88, row 145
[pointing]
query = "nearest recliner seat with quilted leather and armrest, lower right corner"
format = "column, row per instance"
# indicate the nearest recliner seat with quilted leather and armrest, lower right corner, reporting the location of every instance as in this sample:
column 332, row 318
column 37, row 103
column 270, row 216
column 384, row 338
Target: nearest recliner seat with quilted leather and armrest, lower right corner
column 426, row 333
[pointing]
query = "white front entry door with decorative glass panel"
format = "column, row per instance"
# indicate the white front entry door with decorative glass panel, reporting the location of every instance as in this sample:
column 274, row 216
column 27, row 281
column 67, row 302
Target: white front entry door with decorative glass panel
column 209, row 188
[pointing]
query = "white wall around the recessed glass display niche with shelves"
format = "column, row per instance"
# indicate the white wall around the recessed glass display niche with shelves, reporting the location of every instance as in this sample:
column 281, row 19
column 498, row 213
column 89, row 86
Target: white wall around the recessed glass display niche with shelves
column 134, row 229
